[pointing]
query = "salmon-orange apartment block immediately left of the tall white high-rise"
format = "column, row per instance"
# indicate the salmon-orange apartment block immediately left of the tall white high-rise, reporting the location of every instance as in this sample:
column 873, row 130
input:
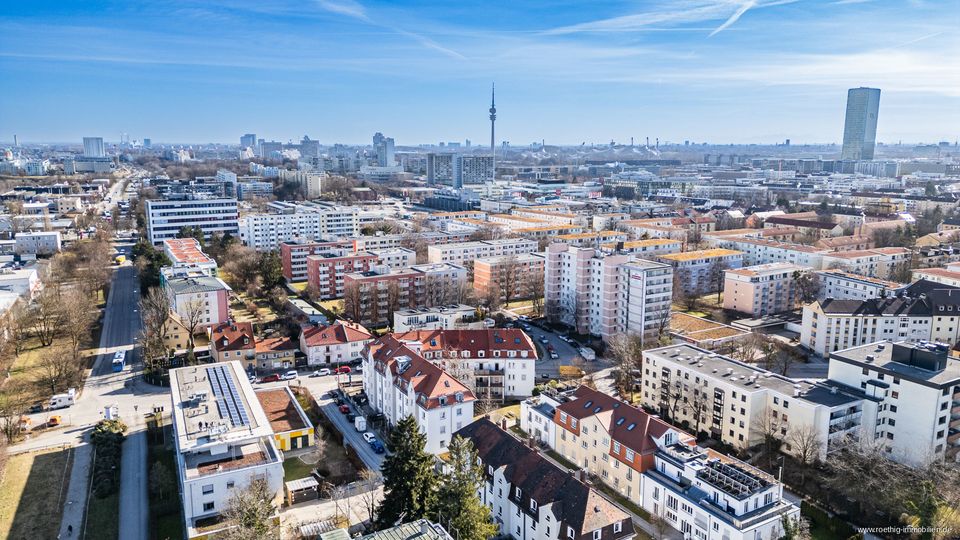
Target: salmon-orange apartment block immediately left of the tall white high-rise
column 519, row 276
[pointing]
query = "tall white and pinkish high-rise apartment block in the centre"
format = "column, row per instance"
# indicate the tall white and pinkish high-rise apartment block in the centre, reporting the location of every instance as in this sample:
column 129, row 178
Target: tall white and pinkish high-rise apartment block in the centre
column 607, row 295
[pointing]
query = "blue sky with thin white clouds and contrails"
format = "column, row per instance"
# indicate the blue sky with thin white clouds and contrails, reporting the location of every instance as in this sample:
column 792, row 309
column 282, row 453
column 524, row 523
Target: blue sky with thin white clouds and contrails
column 567, row 72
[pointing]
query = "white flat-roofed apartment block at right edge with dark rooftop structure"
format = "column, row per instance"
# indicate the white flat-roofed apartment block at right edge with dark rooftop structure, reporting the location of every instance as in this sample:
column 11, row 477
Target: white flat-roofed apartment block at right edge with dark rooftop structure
column 916, row 388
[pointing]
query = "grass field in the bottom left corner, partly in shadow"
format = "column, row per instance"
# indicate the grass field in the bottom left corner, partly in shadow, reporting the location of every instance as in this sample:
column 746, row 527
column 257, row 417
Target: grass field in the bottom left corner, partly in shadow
column 32, row 492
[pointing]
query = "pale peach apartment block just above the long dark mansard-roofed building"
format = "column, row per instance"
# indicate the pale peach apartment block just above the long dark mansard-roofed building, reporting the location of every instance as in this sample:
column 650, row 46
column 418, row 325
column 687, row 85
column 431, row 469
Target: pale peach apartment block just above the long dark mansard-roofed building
column 763, row 289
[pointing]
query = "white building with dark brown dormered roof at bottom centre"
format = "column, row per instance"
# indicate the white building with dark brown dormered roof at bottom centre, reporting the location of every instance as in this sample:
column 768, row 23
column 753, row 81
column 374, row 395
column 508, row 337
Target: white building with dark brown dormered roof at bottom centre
column 530, row 497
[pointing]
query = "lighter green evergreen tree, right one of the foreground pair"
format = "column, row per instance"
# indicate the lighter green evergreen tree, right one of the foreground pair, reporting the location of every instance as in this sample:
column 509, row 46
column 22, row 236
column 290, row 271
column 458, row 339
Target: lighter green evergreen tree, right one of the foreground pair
column 459, row 509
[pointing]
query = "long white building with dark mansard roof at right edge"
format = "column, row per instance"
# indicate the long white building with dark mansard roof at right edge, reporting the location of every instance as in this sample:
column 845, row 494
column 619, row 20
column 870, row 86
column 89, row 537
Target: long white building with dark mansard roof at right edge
column 832, row 325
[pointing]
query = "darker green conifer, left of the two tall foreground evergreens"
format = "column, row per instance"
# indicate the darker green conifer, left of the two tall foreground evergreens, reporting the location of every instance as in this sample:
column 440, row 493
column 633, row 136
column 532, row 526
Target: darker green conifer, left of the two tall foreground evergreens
column 409, row 481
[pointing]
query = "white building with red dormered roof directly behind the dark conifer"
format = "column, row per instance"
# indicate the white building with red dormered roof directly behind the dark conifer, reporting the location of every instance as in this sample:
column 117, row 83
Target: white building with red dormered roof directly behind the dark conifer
column 399, row 382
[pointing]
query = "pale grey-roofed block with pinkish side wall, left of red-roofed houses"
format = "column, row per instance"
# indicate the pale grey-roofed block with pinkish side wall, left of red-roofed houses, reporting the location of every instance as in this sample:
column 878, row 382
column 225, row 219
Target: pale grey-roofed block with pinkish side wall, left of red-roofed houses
column 204, row 299
